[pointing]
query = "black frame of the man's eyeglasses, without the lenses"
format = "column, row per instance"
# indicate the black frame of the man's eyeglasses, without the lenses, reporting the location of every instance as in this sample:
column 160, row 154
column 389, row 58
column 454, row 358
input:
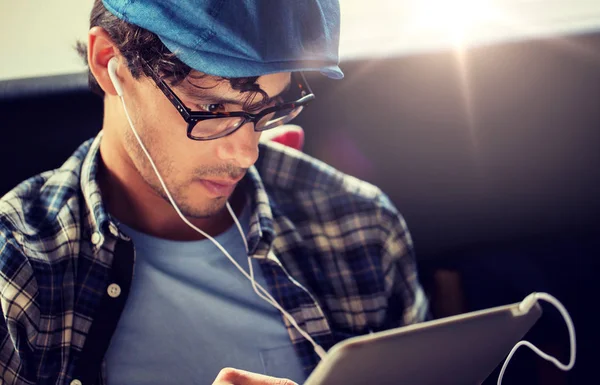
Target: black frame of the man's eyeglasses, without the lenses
column 193, row 117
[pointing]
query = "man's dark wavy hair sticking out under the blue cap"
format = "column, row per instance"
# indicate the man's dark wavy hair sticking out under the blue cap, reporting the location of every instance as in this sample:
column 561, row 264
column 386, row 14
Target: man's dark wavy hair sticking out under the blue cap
column 138, row 45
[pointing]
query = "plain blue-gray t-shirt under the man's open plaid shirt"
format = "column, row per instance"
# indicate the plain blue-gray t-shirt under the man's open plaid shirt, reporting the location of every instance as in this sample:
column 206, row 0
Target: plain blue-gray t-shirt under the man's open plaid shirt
column 192, row 311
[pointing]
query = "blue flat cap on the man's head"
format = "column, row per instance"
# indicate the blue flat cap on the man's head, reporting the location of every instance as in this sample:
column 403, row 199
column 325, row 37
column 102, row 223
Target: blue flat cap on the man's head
column 242, row 38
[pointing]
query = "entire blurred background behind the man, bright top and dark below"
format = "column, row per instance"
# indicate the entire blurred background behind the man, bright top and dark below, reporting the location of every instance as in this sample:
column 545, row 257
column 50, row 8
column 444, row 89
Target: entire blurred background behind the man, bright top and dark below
column 479, row 118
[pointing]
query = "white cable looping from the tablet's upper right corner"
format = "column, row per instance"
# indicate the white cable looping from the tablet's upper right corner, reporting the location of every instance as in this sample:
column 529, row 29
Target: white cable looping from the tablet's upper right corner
column 525, row 306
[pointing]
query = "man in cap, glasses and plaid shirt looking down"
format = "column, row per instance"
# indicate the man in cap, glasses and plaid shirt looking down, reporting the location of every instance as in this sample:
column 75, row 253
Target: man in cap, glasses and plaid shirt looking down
column 167, row 249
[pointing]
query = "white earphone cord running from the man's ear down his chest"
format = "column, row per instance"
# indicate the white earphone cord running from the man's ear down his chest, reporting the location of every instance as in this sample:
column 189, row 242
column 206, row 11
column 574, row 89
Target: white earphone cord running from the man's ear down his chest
column 260, row 291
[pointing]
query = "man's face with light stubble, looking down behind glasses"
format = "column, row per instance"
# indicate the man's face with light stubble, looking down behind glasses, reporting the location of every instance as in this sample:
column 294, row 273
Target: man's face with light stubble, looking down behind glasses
column 200, row 175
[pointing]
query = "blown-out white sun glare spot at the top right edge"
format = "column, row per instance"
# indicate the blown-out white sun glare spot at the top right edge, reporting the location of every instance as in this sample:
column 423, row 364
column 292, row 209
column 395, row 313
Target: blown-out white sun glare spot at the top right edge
column 453, row 18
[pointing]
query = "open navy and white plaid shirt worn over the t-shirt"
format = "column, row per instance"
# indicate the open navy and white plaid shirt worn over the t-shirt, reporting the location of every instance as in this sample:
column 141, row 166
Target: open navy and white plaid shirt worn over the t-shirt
column 334, row 251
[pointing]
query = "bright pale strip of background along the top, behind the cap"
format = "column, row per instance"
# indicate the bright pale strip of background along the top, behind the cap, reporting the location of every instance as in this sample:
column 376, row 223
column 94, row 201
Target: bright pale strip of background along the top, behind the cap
column 37, row 36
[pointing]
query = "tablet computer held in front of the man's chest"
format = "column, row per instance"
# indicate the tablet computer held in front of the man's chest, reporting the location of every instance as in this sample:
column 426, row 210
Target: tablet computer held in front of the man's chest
column 458, row 350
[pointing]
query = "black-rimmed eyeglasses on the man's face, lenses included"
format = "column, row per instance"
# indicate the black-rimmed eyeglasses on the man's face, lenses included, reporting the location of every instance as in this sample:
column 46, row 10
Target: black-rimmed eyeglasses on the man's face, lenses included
column 204, row 125
